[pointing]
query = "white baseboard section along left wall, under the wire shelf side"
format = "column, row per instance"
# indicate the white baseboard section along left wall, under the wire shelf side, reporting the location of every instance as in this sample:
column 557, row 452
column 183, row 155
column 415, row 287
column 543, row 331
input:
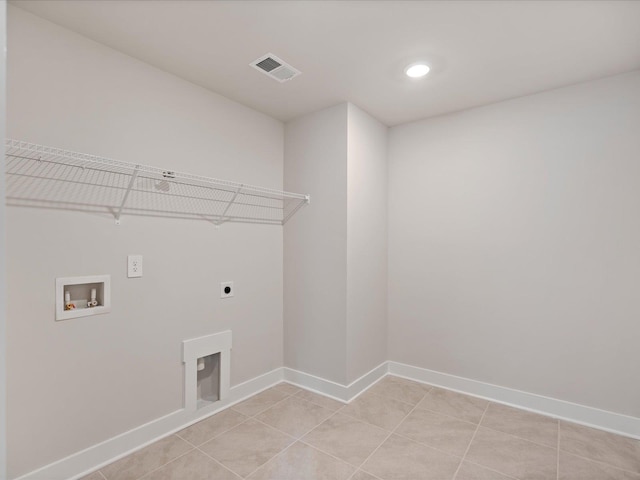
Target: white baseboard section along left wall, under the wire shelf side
column 104, row 453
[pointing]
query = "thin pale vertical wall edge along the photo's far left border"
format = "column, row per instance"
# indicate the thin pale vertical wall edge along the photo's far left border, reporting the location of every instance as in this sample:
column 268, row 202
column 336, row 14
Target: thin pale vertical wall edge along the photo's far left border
column 3, row 284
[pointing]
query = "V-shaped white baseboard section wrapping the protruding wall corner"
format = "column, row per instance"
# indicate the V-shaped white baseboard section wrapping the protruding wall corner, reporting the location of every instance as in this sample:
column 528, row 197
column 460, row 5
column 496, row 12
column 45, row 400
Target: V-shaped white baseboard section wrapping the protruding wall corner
column 337, row 391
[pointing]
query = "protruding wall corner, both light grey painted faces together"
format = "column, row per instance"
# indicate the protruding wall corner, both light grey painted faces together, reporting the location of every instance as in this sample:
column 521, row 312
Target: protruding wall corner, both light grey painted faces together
column 335, row 277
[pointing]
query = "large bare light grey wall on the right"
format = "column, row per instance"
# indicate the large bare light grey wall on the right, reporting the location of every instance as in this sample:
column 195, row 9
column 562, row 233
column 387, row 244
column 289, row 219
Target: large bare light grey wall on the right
column 513, row 244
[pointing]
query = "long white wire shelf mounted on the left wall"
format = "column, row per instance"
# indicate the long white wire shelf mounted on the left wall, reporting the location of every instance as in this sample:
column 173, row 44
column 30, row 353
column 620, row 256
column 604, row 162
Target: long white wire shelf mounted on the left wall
column 48, row 177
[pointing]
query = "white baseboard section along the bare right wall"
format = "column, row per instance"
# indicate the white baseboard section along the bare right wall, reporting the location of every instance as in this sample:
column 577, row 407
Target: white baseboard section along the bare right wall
column 572, row 412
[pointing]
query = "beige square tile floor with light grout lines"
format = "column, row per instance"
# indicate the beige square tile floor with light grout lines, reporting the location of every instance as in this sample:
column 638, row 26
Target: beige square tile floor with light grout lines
column 397, row 430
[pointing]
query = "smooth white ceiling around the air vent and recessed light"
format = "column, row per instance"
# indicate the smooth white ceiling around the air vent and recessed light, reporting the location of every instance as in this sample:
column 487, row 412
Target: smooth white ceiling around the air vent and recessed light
column 480, row 51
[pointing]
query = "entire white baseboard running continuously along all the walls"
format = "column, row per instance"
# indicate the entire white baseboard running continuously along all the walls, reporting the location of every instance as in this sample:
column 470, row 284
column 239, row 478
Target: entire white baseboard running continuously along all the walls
column 104, row 453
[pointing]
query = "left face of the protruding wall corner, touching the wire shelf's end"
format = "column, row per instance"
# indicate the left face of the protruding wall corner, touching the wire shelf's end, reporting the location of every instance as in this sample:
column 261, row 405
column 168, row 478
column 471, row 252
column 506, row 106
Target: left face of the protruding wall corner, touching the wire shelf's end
column 315, row 246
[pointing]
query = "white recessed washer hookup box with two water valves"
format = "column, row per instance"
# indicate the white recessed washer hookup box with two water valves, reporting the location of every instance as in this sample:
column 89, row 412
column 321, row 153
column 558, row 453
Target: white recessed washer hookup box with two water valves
column 82, row 296
